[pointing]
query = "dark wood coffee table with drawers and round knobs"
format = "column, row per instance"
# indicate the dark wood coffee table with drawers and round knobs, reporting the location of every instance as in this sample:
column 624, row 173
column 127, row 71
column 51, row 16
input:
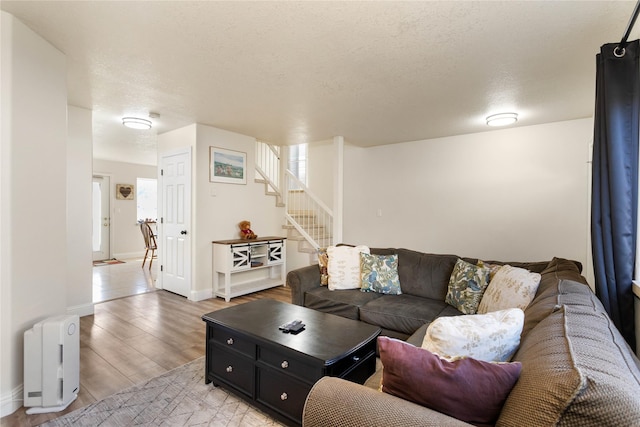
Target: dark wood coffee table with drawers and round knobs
column 247, row 353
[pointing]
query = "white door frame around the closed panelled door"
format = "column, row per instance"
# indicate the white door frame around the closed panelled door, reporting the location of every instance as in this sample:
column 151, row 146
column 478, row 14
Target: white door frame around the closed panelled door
column 160, row 222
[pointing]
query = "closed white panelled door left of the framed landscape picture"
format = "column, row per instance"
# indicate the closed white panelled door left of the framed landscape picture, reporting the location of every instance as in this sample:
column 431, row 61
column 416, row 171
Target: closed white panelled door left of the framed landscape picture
column 175, row 235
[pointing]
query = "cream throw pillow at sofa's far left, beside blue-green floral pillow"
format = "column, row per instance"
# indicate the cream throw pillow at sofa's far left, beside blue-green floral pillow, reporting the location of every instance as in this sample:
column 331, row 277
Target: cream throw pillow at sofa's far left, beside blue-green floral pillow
column 344, row 266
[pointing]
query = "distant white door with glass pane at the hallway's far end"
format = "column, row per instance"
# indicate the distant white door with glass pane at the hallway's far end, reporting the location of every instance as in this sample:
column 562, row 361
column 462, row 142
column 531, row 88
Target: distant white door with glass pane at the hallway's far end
column 101, row 218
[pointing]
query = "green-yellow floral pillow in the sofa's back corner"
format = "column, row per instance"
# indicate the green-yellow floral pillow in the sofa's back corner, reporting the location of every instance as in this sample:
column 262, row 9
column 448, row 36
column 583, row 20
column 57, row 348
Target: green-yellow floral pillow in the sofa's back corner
column 466, row 286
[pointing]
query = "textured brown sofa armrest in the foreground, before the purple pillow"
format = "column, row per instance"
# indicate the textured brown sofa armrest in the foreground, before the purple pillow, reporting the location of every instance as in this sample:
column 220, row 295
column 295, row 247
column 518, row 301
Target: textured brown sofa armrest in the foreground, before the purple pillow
column 334, row 402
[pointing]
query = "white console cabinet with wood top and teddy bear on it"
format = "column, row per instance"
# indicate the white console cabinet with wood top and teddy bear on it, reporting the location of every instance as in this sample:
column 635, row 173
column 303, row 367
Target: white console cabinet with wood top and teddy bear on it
column 241, row 266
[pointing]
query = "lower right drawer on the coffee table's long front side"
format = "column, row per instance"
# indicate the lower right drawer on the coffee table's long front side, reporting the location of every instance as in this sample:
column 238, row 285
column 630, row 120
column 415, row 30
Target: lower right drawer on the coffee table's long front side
column 282, row 393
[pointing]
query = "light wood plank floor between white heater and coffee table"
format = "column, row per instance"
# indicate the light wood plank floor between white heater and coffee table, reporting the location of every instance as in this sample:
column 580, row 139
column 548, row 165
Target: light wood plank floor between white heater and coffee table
column 132, row 339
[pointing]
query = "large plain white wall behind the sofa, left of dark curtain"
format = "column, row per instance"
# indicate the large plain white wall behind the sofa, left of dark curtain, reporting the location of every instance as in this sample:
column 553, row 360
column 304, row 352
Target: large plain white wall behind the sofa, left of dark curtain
column 516, row 194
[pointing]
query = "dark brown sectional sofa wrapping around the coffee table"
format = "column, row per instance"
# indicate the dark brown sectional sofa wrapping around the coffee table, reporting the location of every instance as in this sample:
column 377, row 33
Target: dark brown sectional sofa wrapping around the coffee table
column 577, row 370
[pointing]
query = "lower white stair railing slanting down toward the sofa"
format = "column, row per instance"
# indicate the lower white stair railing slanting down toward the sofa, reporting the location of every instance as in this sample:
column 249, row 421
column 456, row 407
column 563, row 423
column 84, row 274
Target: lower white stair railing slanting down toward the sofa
column 308, row 214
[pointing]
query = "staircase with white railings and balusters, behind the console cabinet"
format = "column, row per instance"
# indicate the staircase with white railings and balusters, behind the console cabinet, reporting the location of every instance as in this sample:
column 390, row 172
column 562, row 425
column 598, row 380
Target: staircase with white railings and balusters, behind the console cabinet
column 307, row 219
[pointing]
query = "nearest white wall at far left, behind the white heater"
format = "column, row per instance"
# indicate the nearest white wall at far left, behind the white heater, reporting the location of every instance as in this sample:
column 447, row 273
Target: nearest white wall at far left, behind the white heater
column 33, row 226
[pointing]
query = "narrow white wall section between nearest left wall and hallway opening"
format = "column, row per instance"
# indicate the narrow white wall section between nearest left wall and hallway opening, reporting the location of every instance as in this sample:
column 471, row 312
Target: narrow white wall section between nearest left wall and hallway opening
column 79, row 222
